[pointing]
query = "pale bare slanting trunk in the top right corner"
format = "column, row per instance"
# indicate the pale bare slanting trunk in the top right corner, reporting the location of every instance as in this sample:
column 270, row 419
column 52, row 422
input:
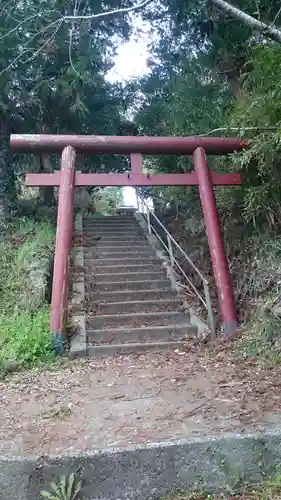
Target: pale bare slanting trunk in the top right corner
column 267, row 30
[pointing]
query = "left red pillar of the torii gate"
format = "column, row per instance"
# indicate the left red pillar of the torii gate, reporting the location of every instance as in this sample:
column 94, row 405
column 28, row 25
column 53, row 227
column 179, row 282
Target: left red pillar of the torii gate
column 63, row 247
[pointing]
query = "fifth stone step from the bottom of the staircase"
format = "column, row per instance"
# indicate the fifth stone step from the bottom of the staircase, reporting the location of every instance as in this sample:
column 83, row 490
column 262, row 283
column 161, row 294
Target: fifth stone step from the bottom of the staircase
column 130, row 295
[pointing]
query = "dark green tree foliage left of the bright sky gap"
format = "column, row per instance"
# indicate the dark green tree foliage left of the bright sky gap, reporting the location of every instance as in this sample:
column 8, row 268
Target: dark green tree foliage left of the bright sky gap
column 51, row 83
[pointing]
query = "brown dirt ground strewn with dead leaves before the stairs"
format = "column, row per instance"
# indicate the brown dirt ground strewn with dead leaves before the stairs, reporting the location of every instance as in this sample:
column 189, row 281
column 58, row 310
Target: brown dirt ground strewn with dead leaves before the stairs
column 135, row 399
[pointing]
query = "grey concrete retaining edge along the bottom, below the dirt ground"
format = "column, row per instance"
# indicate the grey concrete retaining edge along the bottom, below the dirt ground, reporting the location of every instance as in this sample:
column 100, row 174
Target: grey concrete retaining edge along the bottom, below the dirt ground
column 149, row 472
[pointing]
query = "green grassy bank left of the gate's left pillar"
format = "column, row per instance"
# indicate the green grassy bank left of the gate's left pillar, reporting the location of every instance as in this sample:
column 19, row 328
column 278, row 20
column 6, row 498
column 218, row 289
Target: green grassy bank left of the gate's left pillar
column 26, row 249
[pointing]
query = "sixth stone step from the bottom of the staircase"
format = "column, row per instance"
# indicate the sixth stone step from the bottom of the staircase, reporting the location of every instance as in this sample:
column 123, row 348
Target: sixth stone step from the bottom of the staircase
column 128, row 286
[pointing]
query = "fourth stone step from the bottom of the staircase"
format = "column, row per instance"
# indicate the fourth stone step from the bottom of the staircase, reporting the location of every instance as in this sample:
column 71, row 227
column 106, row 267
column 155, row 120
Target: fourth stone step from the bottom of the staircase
column 137, row 306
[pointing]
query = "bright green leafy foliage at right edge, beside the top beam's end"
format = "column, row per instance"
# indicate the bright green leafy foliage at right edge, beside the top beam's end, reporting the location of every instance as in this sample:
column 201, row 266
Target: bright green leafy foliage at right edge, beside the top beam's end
column 259, row 106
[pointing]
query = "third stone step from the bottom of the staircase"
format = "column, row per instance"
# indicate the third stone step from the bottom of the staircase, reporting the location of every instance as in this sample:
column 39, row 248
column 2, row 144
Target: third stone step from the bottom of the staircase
column 138, row 320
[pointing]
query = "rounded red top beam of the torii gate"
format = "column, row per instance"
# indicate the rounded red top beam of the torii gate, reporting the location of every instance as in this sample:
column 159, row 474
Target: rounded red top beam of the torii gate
column 98, row 144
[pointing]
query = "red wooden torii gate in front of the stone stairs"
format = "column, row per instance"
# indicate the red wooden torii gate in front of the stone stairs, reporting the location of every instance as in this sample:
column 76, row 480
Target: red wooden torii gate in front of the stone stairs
column 67, row 178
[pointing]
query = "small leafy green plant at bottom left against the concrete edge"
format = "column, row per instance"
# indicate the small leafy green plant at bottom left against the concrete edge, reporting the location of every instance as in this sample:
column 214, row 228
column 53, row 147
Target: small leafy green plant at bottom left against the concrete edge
column 66, row 488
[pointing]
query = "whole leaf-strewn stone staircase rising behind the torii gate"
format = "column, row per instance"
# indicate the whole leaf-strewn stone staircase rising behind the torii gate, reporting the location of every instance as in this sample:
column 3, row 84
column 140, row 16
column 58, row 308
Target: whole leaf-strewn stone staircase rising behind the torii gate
column 129, row 301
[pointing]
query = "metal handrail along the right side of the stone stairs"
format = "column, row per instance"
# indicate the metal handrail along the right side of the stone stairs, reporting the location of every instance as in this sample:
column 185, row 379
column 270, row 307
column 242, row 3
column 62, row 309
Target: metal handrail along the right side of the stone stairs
column 205, row 300
